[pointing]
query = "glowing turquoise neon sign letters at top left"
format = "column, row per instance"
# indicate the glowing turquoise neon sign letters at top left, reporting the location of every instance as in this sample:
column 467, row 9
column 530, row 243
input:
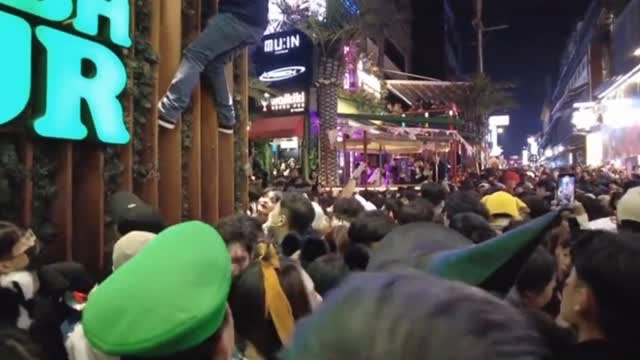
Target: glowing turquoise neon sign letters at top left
column 67, row 76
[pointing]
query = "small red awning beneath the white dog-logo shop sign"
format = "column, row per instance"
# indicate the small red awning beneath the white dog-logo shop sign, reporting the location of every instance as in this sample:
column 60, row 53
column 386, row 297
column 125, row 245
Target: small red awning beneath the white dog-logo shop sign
column 277, row 127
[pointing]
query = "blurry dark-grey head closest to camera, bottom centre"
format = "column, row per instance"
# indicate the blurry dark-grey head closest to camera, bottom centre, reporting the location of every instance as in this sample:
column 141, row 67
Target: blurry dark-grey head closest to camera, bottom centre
column 382, row 316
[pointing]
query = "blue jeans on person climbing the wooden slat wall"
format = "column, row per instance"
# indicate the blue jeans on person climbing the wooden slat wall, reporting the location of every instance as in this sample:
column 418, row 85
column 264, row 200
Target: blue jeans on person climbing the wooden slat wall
column 222, row 39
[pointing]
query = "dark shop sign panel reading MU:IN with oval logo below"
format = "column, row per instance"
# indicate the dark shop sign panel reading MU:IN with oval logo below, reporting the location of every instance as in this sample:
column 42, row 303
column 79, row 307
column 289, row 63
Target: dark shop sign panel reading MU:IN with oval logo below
column 284, row 60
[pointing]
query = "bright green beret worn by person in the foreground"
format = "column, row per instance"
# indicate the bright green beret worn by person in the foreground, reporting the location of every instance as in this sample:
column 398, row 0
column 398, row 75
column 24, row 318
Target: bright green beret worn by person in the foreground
column 170, row 297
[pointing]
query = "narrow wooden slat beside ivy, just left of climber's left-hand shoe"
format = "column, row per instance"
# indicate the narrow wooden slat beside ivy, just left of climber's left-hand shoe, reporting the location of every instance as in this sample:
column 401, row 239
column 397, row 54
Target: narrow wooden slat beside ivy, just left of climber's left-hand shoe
column 148, row 190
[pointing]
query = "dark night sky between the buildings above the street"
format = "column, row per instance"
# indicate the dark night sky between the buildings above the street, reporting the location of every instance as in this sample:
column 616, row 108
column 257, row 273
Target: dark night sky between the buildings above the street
column 525, row 54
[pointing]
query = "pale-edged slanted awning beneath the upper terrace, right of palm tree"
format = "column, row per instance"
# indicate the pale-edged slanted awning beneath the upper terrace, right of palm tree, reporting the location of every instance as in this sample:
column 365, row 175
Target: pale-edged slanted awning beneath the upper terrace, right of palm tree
column 415, row 91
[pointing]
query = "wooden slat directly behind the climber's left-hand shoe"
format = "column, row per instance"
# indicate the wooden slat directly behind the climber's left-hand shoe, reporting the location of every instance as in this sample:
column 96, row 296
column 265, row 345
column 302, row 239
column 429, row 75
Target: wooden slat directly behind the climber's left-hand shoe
column 170, row 141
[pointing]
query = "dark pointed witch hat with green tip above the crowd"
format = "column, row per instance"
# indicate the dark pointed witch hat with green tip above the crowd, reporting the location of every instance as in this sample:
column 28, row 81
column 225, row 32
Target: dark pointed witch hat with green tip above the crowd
column 493, row 265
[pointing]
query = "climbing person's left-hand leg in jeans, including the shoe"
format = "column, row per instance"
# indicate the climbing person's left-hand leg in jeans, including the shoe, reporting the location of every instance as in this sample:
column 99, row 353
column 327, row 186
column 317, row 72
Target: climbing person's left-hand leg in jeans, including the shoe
column 223, row 33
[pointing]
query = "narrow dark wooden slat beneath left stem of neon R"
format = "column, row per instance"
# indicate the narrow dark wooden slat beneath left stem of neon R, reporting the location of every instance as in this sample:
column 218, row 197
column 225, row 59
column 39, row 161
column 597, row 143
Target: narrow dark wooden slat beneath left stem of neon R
column 62, row 211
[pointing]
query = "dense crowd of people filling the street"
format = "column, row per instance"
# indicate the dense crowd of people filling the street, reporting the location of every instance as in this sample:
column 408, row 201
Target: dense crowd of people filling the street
column 488, row 268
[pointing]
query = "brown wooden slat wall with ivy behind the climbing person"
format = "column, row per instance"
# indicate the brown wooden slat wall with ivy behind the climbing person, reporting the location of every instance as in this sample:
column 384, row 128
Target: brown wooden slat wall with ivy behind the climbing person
column 78, row 207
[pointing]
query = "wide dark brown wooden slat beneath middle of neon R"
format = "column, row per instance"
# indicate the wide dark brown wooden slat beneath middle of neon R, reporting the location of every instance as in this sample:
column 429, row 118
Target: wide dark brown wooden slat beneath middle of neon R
column 88, row 207
